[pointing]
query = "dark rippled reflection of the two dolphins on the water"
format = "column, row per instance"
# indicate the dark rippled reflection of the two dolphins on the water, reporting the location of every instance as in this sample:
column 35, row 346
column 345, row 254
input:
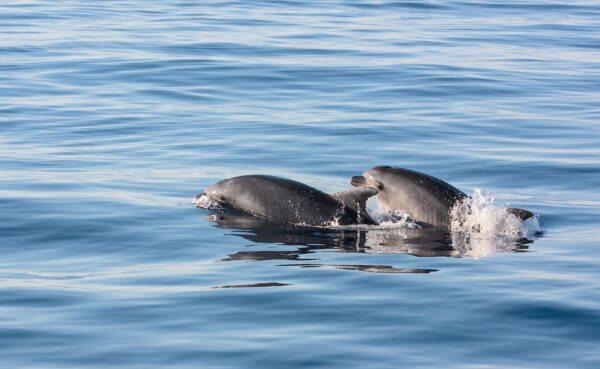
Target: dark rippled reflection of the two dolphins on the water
column 423, row 242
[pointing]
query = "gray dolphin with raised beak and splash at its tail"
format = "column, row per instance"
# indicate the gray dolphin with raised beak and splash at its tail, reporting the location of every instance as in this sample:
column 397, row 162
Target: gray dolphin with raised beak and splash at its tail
column 426, row 199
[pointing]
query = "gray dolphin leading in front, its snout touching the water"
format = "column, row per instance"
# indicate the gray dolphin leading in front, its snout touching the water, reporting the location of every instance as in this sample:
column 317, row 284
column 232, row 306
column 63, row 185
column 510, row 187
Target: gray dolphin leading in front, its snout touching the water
column 287, row 201
